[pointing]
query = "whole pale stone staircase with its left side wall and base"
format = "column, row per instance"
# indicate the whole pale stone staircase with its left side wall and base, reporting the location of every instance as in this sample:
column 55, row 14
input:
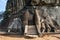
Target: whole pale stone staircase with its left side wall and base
column 31, row 31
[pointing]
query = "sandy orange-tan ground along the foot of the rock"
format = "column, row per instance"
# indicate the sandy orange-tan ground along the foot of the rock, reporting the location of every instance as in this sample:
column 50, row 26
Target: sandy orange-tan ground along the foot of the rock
column 15, row 37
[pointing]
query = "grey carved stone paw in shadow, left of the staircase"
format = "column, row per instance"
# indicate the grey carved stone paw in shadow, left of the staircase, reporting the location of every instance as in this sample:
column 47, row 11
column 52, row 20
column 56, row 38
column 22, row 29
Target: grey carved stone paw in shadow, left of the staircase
column 15, row 25
